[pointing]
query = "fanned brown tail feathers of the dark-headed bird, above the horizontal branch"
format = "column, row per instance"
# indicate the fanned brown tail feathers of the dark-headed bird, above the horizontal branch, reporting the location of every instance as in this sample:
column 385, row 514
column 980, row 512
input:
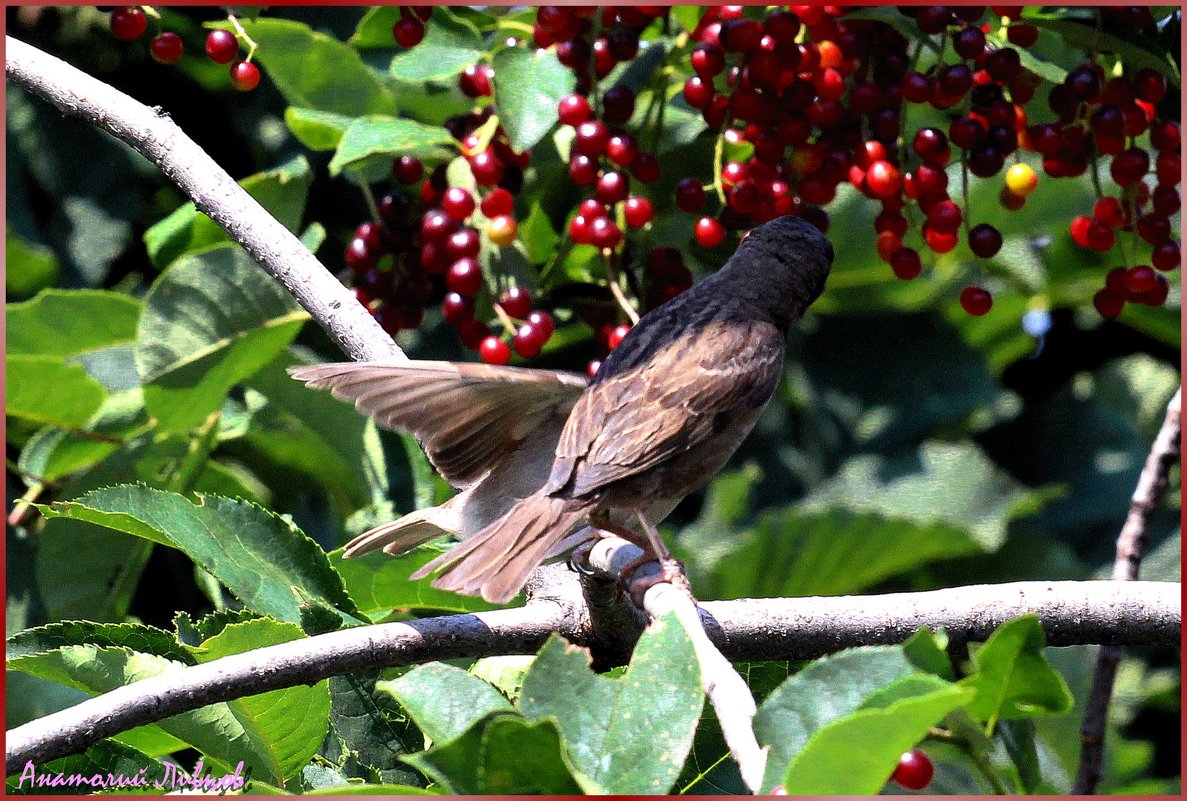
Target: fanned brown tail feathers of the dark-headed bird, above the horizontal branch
column 497, row 562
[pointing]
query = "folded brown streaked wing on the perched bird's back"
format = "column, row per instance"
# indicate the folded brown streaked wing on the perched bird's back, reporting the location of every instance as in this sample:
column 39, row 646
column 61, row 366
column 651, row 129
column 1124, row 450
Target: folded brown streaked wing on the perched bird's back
column 634, row 419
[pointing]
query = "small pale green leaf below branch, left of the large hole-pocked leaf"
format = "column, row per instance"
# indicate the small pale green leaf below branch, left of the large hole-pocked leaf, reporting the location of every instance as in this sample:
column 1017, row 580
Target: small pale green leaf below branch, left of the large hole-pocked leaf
column 445, row 701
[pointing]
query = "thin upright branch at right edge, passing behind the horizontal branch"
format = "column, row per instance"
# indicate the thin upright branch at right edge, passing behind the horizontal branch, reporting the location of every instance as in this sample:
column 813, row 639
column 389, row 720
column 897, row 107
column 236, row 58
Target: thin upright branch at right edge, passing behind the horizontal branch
column 1132, row 544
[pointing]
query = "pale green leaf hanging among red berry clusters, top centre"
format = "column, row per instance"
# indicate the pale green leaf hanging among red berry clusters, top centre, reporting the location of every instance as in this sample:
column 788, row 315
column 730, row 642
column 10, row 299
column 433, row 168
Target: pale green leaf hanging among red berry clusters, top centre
column 529, row 85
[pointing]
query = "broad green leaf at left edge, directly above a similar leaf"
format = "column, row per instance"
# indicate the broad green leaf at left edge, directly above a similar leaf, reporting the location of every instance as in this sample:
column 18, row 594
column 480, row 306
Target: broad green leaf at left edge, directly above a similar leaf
column 66, row 323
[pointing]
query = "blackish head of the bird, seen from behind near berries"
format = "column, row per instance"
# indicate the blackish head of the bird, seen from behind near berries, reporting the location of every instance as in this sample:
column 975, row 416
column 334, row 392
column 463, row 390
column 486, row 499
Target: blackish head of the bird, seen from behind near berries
column 780, row 268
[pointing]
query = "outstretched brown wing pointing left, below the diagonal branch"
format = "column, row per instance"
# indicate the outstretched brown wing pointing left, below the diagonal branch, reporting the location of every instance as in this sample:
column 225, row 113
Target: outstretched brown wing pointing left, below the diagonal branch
column 467, row 417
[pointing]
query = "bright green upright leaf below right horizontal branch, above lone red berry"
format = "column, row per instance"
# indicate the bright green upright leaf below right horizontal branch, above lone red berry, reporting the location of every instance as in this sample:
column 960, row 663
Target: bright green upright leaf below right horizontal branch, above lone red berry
column 1014, row 679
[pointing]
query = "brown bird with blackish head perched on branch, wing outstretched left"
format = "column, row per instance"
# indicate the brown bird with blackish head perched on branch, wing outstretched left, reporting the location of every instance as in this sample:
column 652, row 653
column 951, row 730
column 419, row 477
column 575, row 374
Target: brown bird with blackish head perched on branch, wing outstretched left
column 542, row 457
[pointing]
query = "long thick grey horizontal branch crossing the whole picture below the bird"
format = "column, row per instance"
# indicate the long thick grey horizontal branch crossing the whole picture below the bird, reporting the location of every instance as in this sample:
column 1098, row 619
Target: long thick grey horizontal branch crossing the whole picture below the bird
column 1072, row 613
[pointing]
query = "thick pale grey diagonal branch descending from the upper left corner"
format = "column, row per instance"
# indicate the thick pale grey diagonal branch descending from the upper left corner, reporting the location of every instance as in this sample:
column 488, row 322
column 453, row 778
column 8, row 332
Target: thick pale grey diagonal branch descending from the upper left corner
column 156, row 137
